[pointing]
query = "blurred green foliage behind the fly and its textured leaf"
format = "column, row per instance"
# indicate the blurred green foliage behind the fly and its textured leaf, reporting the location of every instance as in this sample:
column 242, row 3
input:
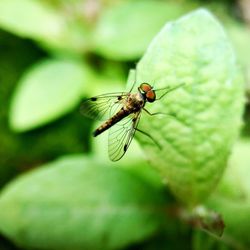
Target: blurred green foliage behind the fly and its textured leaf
column 53, row 54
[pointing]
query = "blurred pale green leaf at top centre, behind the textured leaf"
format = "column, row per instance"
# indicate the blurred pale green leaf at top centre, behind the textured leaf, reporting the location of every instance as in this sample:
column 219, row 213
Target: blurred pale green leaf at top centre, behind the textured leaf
column 124, row 30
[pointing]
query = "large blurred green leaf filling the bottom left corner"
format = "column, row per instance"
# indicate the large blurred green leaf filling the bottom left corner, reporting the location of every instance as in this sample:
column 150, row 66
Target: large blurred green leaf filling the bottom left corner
column 79, row 203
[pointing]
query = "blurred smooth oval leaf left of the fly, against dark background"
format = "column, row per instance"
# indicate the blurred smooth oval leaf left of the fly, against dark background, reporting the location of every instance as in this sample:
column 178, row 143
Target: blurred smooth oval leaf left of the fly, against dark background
column 48, row 90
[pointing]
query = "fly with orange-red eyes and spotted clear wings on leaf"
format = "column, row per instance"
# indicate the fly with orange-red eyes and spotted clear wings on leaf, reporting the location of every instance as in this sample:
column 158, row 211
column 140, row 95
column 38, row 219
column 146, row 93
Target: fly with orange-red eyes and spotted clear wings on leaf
column 121, row 113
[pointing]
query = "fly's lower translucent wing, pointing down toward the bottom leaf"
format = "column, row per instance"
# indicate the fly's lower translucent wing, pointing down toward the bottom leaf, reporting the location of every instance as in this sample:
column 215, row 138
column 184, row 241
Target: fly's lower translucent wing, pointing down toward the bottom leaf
column 121, row 135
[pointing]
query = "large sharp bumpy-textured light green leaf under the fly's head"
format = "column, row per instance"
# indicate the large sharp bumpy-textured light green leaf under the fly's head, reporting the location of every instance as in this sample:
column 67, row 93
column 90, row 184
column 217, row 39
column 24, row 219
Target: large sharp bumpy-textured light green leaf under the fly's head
column 204, row 115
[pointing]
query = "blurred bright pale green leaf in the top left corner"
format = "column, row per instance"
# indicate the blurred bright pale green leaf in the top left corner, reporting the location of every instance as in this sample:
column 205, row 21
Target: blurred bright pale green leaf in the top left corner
column 55, row 28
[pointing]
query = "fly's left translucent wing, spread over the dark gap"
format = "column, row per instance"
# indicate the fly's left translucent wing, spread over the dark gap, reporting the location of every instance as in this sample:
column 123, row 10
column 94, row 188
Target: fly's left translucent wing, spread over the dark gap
column 103, row 107
